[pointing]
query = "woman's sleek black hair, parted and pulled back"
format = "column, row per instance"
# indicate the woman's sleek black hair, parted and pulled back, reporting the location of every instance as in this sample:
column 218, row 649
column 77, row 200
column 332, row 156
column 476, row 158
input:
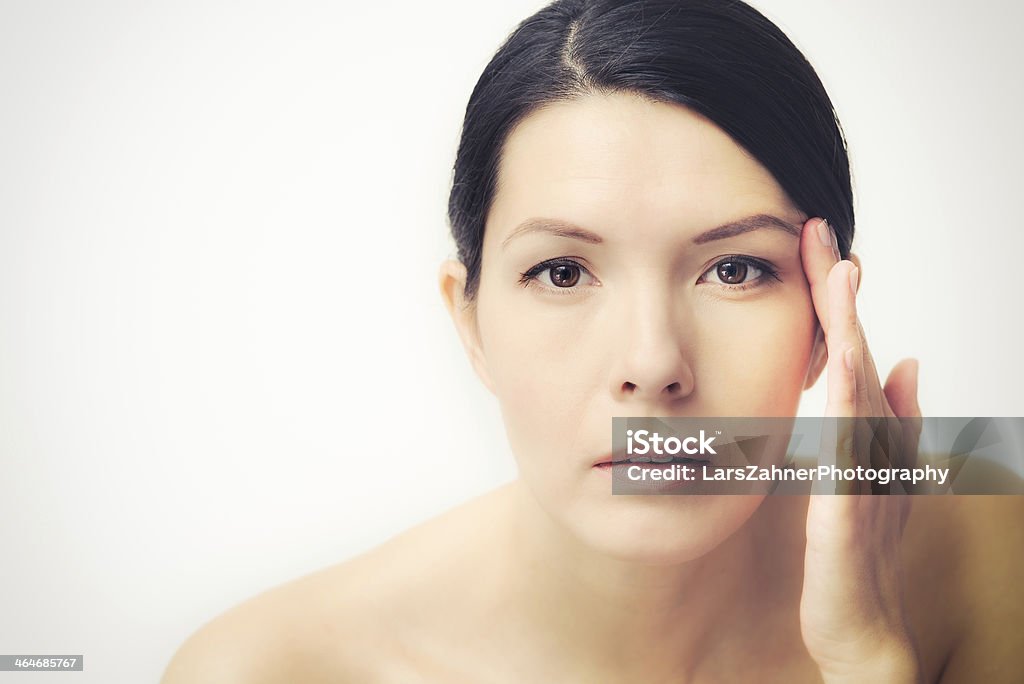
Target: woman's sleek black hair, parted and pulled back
column 722, row 59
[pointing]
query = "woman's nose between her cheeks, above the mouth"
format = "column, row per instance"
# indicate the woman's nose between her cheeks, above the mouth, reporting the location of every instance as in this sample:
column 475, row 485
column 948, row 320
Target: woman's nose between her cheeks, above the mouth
column 653, row 362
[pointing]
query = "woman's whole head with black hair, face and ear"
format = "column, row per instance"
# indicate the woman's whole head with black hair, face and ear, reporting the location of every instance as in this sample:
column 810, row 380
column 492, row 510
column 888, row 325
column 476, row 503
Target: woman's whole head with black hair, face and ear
column 630, row 191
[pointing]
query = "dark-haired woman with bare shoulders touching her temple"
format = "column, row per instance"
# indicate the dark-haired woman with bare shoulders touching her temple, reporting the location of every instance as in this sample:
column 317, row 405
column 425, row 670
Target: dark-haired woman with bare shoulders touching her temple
column 638, row 204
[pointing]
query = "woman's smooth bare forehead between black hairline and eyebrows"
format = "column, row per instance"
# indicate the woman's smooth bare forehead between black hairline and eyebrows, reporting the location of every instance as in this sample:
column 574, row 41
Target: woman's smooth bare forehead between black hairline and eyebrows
column 623, row 157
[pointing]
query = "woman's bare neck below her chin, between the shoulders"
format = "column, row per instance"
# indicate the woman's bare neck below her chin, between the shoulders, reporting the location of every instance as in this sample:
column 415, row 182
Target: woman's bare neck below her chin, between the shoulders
column 621, row 617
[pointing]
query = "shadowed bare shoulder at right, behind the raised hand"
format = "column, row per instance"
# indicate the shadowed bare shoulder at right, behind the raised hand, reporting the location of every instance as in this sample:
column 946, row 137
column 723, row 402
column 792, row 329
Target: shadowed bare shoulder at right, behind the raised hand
column 964, row 555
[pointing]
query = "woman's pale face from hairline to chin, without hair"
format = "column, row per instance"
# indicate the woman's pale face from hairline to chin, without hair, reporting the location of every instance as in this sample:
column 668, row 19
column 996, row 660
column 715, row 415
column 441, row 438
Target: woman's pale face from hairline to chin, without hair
column 602, row 295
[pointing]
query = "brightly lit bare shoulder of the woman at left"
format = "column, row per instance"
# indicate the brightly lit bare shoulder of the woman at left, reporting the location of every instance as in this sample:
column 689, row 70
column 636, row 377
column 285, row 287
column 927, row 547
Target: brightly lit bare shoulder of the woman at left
column 353, row 622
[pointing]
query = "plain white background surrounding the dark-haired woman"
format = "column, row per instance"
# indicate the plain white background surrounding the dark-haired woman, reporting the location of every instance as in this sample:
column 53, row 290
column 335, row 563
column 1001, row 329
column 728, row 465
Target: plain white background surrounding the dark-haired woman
column 221, row 228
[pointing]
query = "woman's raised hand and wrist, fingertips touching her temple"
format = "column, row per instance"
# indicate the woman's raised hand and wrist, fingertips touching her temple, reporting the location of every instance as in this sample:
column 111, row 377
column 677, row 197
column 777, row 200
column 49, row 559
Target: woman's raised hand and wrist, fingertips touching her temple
column 851, row 611
